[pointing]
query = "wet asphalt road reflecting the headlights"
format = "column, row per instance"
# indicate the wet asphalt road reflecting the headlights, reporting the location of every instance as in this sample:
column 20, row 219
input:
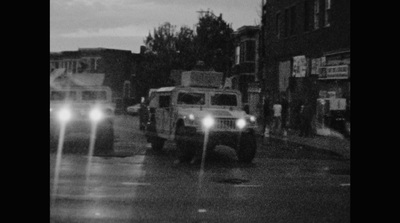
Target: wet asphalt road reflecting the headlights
column 283, row 184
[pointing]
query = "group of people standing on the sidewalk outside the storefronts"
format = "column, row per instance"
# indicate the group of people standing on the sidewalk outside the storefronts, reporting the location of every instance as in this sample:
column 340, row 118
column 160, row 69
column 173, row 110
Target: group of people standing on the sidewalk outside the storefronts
column 276, row 113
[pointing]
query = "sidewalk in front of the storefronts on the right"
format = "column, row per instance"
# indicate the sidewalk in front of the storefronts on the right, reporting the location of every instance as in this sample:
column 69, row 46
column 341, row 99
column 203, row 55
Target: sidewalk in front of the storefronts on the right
column 331, row 142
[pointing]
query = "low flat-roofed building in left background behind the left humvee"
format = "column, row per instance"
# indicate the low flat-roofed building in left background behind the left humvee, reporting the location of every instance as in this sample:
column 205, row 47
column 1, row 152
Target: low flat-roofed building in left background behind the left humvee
column 119, row 68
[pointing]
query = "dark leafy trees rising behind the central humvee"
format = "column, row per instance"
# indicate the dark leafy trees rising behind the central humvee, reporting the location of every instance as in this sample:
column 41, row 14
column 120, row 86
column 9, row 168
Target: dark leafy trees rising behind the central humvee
column 168, row 49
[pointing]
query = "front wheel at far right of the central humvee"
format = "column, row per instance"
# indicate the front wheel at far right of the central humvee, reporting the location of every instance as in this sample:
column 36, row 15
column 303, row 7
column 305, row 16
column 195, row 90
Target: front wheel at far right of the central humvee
column 247, row 148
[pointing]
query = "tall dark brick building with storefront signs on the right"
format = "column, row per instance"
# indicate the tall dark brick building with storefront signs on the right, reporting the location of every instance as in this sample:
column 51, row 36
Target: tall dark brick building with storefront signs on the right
column 306, row 50
